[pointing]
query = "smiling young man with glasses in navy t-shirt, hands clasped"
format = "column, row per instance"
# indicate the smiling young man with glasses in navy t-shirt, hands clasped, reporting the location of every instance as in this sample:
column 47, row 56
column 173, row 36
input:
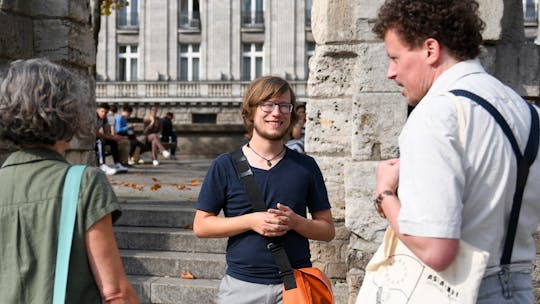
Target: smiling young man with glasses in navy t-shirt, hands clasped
column 289, row 183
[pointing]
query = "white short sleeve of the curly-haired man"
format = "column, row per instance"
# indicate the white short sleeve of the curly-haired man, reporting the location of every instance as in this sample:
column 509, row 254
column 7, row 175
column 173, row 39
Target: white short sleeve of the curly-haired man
column 432, row 177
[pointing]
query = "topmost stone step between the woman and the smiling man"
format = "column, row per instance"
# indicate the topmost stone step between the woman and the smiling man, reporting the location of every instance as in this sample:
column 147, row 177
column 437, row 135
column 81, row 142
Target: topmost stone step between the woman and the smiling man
column 157, row 214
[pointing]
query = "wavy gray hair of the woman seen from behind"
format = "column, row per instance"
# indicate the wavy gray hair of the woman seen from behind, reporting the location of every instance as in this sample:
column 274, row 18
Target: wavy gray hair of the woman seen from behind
column 41, row 103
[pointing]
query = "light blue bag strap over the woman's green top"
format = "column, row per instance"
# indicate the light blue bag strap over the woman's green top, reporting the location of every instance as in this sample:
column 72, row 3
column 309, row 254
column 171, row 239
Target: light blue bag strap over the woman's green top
column 70, row 198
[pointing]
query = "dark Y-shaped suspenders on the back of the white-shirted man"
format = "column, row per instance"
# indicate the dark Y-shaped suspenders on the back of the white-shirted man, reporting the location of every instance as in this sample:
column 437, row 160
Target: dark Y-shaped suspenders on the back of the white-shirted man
column 523, row 164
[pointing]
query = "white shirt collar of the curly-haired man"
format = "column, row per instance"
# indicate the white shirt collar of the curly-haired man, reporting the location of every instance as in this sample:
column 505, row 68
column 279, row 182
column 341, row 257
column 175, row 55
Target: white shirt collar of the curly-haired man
column 459, row 70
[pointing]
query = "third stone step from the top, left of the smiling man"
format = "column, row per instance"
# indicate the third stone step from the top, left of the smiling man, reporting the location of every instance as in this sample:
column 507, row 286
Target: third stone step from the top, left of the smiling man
column 172, row 264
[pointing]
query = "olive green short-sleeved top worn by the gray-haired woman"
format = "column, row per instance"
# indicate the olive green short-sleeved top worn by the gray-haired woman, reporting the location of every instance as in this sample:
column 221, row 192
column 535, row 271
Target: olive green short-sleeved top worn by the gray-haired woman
column 31, row 184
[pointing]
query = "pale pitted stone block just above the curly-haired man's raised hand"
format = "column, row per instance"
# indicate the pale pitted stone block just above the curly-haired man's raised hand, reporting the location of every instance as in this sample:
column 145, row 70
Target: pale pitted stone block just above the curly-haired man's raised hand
column 377, row 121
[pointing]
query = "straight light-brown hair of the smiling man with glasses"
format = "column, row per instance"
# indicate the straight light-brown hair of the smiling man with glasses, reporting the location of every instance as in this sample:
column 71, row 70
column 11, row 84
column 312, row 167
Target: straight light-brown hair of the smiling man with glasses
column 262, row 89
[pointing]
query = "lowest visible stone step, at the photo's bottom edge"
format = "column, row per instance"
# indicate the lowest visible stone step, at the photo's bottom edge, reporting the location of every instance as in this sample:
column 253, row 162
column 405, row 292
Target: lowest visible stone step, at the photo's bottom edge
column 169, row 290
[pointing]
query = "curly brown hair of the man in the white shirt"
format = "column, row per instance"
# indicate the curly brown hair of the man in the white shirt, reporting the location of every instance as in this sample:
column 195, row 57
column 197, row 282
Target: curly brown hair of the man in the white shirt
column 455, row 24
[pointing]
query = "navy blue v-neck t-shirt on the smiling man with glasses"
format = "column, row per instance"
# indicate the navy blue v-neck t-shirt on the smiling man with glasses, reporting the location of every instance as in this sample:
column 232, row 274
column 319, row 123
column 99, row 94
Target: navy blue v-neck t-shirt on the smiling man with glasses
column 296, row 181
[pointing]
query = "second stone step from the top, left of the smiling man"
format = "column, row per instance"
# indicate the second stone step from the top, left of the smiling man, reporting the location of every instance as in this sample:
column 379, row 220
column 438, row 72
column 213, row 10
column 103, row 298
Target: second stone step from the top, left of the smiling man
column 166, row 239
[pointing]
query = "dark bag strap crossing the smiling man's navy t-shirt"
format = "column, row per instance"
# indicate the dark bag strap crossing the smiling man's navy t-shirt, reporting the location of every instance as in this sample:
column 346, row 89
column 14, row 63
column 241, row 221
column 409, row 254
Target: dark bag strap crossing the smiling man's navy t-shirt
column 273, row 244
